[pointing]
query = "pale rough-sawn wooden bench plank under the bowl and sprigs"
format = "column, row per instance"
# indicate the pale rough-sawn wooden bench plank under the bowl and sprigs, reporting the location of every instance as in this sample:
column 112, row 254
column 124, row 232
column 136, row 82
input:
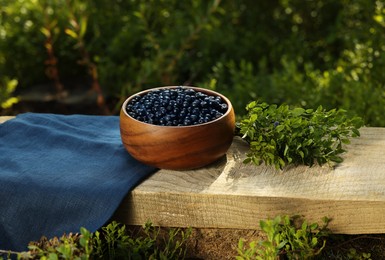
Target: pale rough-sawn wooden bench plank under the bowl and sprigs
column 230, row 194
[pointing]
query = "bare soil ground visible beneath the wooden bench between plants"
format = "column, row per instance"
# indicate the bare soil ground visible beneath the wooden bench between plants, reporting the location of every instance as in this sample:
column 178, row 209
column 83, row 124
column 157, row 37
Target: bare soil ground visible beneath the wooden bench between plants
column 215, row 244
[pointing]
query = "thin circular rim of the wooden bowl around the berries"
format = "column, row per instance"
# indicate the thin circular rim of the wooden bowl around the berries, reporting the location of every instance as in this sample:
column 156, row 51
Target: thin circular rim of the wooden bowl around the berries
column 206, row 91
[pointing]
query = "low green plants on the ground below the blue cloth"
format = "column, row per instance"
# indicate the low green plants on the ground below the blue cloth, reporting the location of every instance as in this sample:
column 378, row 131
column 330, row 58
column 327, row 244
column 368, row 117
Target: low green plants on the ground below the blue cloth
column 113, row 241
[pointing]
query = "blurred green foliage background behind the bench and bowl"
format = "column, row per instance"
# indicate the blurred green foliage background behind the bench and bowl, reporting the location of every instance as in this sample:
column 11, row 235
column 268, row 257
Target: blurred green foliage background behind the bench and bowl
column 303, row 53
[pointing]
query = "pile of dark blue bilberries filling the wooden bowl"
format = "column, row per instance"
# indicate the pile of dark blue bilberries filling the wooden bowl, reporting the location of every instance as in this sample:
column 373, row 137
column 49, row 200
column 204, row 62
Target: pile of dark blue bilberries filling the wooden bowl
column 179, row 106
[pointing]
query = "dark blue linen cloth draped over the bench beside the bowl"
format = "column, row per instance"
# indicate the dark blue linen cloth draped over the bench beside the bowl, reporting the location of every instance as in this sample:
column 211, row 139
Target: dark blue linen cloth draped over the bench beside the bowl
column 59, row 173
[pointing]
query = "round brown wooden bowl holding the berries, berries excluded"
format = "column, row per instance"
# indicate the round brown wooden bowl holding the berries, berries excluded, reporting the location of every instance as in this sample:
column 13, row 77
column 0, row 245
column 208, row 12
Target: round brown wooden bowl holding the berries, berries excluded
column 177, row 147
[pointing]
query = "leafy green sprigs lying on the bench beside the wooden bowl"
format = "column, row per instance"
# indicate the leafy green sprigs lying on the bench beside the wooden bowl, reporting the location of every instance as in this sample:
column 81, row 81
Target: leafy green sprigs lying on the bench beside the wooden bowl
column 279, row 135
